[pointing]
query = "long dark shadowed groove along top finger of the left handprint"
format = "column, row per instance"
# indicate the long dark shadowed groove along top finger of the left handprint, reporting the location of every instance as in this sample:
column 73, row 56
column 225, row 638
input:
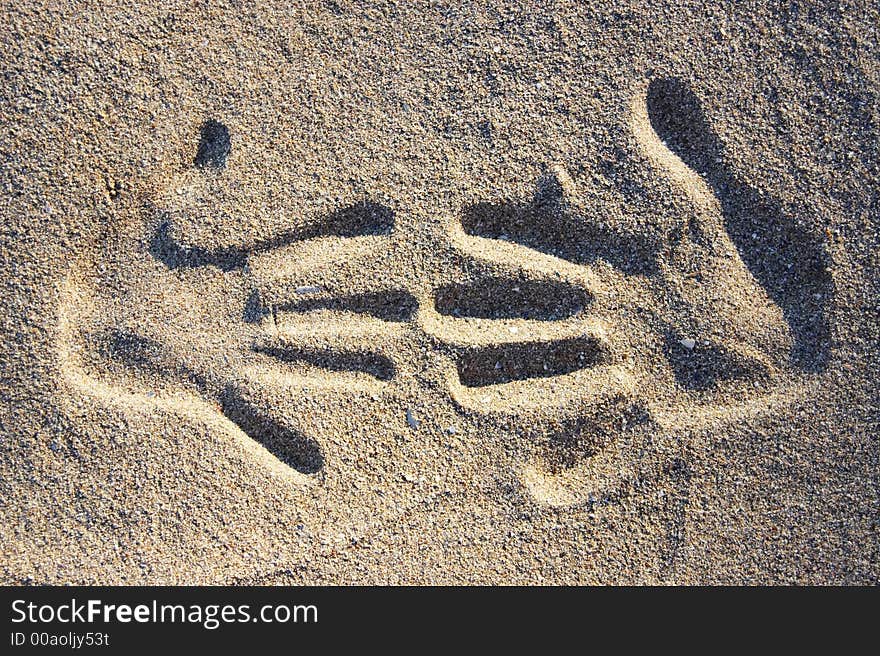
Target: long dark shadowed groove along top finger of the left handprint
column 358, row 220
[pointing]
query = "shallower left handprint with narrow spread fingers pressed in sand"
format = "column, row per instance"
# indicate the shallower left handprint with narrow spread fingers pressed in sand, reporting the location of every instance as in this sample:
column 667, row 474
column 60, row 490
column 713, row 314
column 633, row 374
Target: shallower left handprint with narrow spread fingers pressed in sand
column 221, row 334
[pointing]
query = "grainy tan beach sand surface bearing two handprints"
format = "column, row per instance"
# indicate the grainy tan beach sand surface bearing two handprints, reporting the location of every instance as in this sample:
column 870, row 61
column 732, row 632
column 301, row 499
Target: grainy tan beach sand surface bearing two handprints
column 351, row 292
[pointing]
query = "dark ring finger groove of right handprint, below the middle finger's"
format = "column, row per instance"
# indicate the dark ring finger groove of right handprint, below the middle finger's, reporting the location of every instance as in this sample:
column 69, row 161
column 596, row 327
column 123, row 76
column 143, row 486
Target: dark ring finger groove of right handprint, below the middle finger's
column 504, row 363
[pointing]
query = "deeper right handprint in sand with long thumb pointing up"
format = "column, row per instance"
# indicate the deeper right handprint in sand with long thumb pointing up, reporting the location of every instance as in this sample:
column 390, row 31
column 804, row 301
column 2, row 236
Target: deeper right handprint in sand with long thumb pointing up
column 593, row 328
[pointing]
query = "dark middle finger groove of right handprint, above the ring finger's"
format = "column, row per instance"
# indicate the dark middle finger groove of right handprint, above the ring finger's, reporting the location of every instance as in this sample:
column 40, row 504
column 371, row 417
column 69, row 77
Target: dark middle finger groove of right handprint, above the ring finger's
column 494, row 297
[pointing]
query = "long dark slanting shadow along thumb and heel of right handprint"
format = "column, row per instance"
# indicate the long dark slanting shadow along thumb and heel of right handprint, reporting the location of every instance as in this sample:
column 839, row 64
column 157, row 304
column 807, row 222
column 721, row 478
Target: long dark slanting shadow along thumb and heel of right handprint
column 788, row 260
